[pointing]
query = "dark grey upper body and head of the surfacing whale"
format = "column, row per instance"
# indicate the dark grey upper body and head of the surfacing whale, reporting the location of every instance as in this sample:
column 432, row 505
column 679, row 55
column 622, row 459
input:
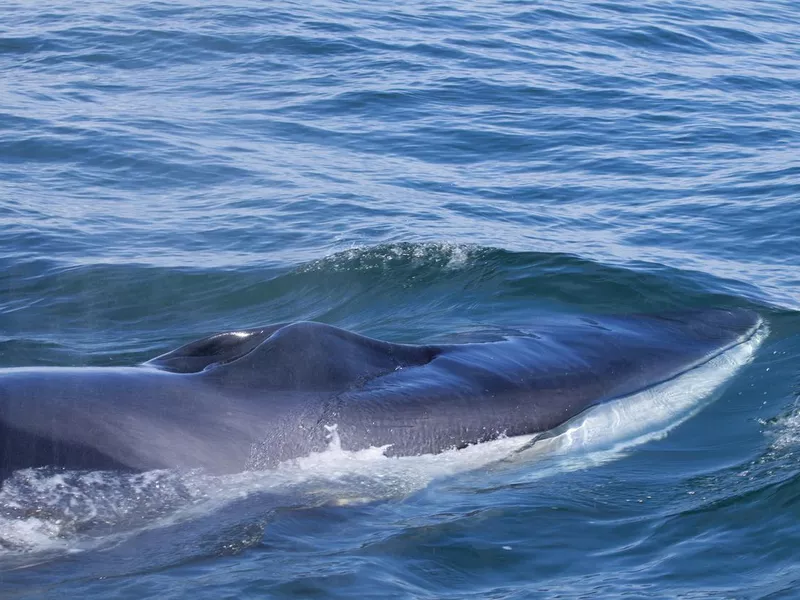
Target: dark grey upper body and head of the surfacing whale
column 252, row 398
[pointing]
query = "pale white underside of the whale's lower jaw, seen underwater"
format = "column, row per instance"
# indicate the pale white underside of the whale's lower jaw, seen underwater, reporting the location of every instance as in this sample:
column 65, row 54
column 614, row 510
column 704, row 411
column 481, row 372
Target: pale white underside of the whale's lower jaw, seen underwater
column 651, row 413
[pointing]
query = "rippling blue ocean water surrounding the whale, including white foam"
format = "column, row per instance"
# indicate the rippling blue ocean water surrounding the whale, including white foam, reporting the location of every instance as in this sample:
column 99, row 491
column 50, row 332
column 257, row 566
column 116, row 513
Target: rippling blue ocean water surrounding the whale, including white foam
column 416, row 172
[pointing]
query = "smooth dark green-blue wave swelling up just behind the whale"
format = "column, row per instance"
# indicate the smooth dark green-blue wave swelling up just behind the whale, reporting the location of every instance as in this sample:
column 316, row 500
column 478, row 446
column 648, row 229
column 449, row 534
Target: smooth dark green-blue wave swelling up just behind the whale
column 403, row 292
